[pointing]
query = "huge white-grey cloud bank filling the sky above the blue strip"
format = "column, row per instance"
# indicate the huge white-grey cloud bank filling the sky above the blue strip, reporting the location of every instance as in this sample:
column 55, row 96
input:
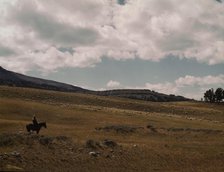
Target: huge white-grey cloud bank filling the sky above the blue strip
column 149, row 30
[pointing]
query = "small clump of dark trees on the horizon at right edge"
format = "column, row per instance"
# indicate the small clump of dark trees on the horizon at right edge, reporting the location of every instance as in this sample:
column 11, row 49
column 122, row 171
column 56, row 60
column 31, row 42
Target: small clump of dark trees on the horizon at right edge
column 214, row 96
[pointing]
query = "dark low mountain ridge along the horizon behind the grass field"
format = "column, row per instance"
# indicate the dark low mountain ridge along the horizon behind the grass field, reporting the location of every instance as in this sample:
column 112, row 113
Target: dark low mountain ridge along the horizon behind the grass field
column 18, row 80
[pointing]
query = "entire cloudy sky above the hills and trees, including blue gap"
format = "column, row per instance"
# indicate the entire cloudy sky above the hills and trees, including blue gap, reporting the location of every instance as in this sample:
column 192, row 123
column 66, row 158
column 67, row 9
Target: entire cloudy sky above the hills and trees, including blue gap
column 169, row 46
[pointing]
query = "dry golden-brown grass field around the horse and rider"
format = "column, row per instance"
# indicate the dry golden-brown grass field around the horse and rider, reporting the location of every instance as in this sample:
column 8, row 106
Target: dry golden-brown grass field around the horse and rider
column 93, row 133
